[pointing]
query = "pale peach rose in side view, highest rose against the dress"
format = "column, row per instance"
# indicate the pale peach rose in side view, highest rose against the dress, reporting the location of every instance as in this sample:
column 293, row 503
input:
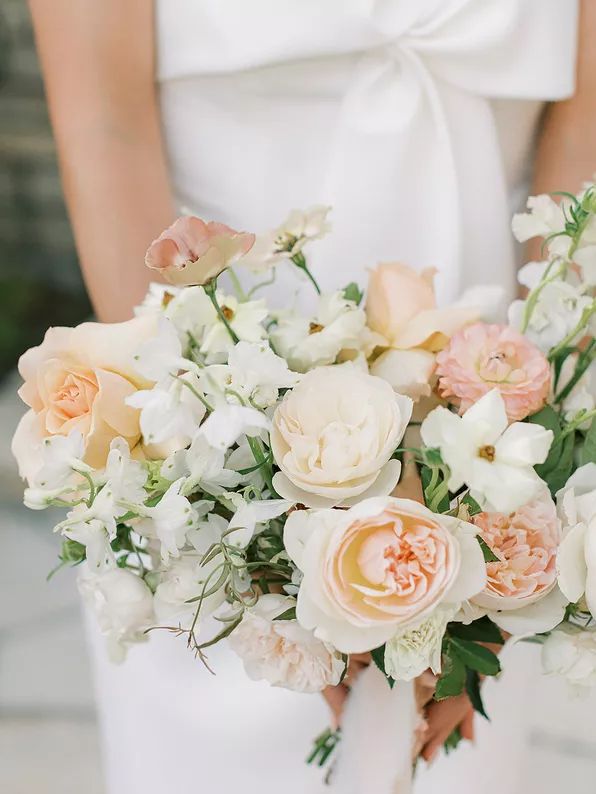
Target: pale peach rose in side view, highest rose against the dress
column 401, row 306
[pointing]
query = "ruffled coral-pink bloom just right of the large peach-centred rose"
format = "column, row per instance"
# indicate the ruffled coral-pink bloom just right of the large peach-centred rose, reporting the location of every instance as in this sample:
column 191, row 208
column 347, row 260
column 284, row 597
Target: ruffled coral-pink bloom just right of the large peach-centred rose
column 526, row 544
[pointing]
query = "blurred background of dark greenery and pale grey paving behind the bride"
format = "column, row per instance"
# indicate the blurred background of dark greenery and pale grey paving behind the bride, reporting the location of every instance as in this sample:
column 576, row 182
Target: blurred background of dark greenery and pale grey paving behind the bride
column 48, row 735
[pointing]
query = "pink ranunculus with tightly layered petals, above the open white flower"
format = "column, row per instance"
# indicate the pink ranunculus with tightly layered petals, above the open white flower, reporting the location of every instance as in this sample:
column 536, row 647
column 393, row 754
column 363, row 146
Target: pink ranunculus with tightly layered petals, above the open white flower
column 483, row 357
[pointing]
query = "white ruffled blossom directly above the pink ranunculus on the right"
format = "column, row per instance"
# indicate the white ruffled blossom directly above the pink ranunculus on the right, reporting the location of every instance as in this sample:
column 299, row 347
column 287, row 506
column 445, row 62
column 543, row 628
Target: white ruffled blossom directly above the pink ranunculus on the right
column 557, row 310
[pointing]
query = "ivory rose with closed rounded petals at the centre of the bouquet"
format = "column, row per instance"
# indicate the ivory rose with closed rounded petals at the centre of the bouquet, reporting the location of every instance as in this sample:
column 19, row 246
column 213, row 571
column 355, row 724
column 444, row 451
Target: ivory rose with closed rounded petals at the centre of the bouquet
column 334, row 435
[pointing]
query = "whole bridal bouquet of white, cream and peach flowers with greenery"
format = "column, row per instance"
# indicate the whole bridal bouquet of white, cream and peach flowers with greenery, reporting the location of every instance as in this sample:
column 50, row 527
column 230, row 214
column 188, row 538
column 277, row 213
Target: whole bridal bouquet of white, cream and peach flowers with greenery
column 376, row 474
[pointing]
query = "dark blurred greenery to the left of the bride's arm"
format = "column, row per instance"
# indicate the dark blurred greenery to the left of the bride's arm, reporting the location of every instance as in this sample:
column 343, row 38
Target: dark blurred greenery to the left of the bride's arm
column 40, row 283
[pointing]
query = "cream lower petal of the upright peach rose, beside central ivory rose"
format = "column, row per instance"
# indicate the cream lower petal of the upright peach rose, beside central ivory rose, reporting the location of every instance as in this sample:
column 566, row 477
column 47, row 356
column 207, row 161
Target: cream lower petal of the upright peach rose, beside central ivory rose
column 407, row 371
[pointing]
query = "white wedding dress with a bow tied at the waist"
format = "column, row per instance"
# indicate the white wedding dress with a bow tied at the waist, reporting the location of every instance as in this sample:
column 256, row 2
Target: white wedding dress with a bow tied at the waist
column 415, row 120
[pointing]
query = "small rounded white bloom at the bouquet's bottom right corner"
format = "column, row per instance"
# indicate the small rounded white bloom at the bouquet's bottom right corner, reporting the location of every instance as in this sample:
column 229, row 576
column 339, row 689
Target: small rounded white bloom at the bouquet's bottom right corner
column 570, row 652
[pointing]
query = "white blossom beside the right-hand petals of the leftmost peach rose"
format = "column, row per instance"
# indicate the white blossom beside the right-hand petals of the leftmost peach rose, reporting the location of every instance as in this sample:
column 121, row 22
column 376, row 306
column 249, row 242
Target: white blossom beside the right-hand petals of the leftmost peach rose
column 170, row 410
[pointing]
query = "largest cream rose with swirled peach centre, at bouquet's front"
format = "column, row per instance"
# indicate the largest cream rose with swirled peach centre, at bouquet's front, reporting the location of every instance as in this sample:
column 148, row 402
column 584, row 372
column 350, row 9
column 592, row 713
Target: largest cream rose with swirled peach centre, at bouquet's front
column 379, row 567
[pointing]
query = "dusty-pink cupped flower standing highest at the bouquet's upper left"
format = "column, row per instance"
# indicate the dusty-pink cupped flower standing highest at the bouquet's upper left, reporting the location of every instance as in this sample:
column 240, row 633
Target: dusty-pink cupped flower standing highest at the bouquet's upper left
column 192, row 251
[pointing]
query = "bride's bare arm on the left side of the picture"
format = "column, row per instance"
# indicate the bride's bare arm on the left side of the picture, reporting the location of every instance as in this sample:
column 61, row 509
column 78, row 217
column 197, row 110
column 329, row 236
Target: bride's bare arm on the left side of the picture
column 98, row 64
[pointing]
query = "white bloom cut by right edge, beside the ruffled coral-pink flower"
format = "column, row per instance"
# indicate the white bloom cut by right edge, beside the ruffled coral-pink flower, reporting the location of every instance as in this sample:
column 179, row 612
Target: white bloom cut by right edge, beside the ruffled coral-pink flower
column 576, row 560
